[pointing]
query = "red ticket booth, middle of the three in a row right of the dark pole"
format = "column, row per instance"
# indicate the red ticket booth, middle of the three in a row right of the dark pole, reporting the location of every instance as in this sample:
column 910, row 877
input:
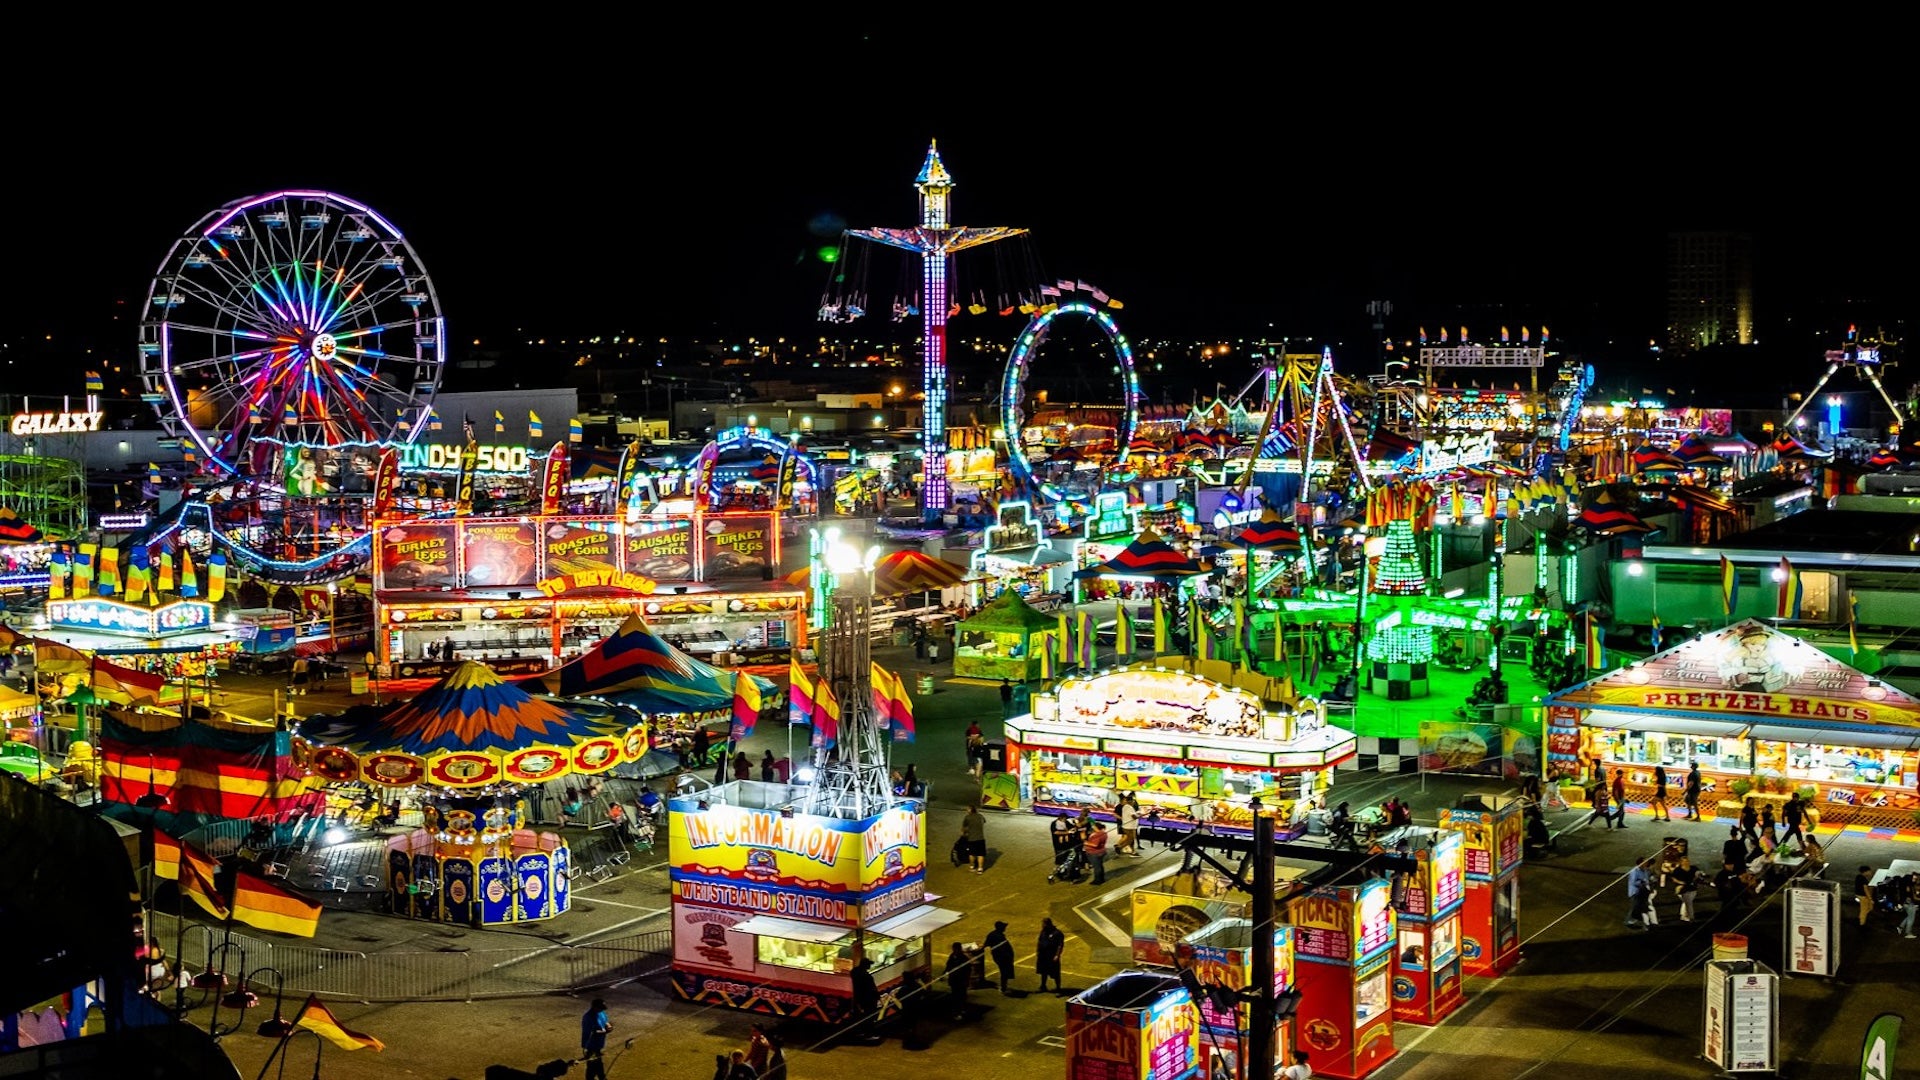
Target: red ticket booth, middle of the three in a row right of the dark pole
column 1428, row 983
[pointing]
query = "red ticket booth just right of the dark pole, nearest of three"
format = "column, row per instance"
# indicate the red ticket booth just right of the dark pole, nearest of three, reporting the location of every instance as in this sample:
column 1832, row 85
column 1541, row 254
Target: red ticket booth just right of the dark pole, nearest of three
column 1345, row 956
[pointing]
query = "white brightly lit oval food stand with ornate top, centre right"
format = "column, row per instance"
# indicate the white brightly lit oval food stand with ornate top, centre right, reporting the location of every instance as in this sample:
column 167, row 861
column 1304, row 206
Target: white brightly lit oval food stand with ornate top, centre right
column 1193, row 750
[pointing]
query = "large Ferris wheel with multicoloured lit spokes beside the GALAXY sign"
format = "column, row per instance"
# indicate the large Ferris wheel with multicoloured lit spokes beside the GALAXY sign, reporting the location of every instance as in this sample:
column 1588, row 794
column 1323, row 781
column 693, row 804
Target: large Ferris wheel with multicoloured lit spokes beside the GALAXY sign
column 291, row 318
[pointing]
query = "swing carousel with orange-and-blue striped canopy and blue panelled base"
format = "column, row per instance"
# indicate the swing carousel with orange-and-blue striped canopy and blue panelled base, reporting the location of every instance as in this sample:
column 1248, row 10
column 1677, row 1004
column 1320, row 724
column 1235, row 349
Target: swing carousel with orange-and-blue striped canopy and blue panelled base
column 468, row 749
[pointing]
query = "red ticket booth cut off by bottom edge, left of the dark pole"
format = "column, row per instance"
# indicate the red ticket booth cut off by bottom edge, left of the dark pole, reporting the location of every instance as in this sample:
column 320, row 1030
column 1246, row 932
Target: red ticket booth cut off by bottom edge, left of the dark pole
column 1136, row 1025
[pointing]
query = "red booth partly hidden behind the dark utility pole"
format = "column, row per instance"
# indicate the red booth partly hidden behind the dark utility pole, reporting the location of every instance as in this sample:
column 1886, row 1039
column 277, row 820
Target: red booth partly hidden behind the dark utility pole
column 1222, row 956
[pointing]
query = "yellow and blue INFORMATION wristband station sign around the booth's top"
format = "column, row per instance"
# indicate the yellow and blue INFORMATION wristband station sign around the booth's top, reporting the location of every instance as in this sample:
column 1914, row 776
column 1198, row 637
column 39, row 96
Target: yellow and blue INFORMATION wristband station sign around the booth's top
column 805, row 868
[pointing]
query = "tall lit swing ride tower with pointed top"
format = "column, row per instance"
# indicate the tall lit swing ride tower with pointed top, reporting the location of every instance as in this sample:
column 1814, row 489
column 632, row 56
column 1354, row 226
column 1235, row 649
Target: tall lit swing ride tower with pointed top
column 936, row 243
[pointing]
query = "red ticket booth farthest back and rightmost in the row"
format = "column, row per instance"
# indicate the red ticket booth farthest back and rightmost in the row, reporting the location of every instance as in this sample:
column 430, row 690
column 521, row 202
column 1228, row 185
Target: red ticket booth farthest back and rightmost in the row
column 1491, row 914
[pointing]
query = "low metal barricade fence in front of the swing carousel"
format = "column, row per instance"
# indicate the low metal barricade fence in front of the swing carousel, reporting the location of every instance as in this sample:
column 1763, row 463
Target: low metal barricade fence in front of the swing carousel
column 441, row 975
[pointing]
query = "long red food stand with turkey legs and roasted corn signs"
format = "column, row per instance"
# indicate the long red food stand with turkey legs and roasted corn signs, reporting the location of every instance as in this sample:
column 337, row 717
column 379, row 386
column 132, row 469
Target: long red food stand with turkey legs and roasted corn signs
column 531, row 593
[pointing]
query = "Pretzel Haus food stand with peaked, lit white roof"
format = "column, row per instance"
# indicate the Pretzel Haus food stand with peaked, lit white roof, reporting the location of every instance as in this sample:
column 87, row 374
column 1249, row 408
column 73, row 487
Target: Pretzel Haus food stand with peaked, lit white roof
column 1764, row 714
